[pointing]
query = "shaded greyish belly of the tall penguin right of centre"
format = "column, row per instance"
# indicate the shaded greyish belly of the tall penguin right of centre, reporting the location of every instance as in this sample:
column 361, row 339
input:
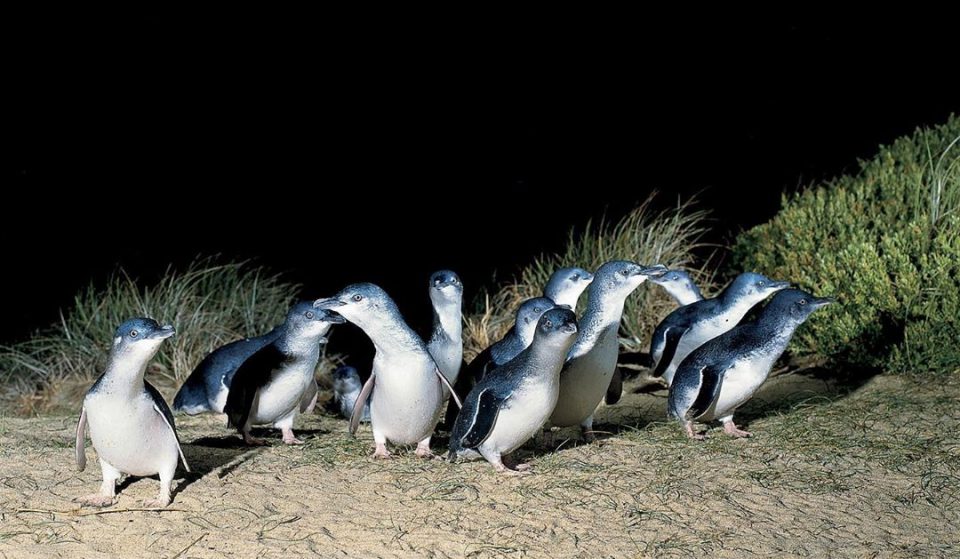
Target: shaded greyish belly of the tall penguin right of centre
column 583, row 383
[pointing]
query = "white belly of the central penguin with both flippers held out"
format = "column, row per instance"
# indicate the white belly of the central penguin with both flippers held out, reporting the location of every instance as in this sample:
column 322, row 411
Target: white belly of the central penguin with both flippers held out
column 406, row 400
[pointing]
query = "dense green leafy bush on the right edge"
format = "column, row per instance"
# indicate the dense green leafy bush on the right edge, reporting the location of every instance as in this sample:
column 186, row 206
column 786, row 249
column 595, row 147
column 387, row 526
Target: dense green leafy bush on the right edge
column 886, row 242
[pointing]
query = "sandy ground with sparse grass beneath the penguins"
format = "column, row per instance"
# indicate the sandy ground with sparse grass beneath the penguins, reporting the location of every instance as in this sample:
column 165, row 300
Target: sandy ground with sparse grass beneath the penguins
column 864, row 469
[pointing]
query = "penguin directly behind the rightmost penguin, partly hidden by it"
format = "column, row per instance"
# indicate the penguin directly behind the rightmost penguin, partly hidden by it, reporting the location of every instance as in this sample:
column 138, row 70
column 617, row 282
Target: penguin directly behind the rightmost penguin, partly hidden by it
column 688, row 327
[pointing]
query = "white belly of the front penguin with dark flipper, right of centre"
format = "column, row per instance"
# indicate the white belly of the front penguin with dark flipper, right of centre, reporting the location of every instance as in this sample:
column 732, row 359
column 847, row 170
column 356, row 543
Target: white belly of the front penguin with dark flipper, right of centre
column 522, row 418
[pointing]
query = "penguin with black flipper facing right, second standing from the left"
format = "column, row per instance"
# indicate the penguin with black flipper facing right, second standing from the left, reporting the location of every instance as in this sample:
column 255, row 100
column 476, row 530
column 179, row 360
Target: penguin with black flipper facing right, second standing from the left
column 271, row 386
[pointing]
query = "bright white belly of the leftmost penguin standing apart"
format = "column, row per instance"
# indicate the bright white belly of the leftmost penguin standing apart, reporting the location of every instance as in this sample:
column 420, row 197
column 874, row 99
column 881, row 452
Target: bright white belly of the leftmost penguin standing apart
column 131, row 435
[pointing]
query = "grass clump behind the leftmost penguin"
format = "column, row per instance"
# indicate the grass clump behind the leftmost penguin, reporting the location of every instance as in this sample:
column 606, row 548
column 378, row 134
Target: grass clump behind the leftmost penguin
column 209, row 304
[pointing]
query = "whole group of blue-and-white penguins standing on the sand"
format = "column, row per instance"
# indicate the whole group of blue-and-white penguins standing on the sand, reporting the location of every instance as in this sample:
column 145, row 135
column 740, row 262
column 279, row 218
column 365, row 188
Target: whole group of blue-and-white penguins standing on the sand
column 550, row 370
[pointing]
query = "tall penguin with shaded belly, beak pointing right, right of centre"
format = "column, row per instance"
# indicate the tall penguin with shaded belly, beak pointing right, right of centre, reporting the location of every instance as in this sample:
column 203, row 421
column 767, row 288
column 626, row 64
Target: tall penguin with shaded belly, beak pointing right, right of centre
column 593, row 358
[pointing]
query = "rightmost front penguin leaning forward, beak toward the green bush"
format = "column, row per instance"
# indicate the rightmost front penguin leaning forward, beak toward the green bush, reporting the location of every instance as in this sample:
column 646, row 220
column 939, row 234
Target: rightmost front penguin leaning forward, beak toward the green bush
column 723, row 373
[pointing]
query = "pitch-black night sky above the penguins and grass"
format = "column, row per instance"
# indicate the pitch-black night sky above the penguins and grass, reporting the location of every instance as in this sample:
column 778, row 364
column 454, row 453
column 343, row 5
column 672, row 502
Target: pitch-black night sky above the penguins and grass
column 396, row 137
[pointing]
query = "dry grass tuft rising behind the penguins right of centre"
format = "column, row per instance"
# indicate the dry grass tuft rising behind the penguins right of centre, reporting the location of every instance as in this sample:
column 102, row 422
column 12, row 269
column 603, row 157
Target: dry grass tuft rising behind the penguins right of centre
column 644, row 236
